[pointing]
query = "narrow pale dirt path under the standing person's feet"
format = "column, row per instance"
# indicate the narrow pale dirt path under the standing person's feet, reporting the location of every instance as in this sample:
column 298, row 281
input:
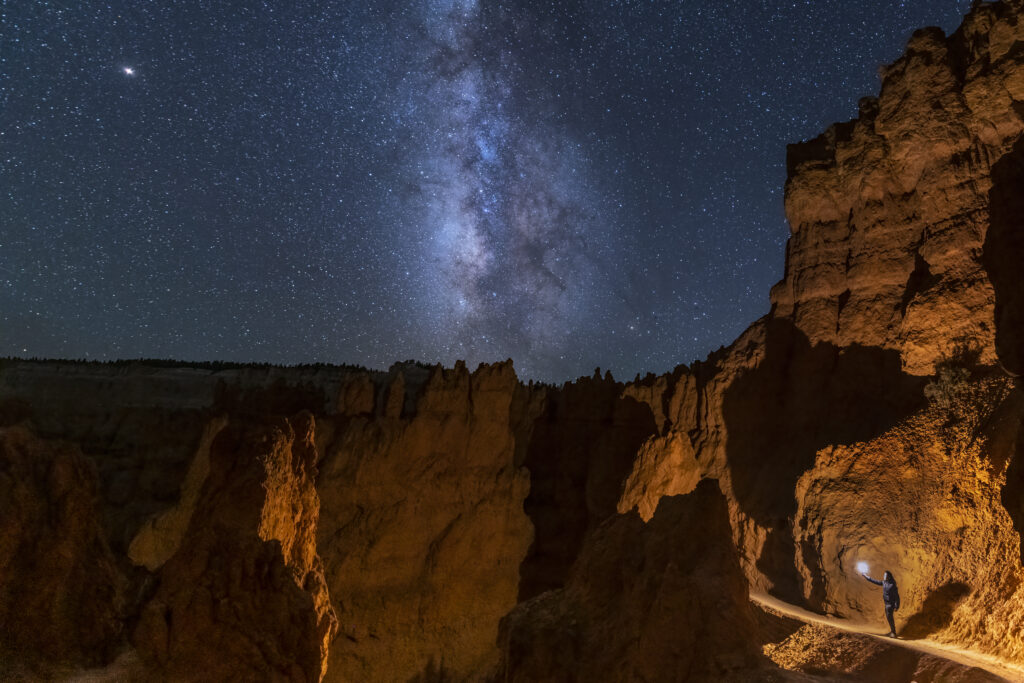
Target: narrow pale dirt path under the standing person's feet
column 997, row 667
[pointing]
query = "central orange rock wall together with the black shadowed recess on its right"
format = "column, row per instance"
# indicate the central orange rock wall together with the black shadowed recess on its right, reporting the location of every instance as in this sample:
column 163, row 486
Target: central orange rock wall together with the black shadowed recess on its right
column 450, row 496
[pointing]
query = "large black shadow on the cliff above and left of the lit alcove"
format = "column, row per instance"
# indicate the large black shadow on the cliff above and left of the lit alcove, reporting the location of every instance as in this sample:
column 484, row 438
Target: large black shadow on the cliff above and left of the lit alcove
column 799, row 400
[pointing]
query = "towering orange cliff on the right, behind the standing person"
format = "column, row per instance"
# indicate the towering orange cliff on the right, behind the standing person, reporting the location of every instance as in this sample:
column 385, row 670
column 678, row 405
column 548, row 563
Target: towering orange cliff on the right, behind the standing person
column 866, row 414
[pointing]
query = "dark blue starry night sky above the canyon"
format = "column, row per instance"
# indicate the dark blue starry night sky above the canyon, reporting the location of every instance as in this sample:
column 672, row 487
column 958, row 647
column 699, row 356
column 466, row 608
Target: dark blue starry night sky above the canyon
column 569, row 184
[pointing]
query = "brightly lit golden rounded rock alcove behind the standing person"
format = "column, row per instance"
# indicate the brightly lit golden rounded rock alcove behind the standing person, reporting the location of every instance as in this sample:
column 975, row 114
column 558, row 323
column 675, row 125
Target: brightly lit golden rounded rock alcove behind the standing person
column 923, row 501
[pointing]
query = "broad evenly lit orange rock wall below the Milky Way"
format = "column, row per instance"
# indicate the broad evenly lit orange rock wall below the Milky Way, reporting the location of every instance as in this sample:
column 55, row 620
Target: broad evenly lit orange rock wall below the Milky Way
column 422, row 525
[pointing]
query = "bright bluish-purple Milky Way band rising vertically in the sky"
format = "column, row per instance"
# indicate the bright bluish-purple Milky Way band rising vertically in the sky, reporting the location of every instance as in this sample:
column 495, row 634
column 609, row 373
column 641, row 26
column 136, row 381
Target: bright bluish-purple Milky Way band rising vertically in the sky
column 518, row 251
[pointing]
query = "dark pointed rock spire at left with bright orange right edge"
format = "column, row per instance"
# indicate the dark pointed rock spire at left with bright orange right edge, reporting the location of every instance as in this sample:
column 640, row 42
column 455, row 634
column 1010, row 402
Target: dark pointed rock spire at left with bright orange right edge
column 244, row 594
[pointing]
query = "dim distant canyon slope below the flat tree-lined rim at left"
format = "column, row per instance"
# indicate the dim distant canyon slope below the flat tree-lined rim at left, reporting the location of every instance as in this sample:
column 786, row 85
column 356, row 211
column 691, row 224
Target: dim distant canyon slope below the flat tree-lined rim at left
column 142, row 424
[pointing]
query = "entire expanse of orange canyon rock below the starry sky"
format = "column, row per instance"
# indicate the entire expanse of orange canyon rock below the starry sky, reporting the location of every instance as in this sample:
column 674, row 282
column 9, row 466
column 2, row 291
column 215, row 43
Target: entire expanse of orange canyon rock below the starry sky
column 428, row 525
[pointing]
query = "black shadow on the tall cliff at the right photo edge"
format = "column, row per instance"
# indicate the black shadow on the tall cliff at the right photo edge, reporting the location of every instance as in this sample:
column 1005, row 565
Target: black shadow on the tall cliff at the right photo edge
column 1004, row 257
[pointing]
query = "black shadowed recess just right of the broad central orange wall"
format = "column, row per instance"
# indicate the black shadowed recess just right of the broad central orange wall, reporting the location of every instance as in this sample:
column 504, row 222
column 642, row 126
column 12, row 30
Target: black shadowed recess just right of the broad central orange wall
column 580, row 454
